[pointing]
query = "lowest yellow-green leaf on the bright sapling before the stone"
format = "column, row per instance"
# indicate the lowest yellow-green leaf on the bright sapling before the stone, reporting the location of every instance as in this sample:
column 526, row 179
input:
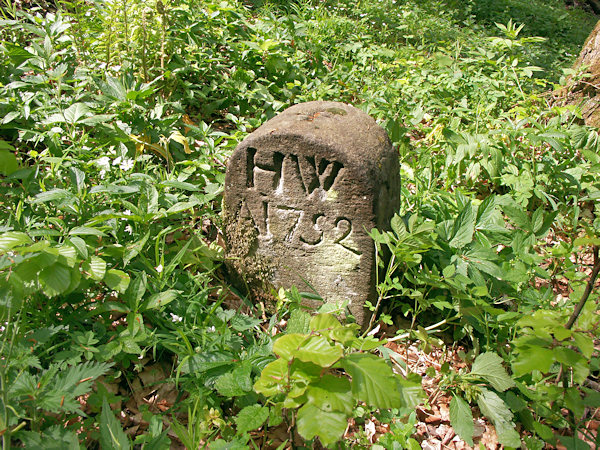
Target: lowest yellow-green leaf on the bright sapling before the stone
column 327, row 426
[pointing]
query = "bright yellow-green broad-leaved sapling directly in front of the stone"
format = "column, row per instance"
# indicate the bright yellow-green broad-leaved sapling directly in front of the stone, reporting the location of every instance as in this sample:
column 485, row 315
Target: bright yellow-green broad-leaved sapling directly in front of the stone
column 321, row 376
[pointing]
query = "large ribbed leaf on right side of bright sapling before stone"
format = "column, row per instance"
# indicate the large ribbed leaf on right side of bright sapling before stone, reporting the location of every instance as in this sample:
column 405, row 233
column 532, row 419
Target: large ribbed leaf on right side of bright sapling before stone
column 373, row 381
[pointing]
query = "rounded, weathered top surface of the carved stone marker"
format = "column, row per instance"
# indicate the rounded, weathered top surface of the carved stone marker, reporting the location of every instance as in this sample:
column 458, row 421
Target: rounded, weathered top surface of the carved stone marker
column 347, row 131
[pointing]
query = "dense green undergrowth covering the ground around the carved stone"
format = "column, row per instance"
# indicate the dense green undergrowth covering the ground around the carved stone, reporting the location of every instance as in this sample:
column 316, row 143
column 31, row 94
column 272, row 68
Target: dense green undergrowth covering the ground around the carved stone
column 119, row 326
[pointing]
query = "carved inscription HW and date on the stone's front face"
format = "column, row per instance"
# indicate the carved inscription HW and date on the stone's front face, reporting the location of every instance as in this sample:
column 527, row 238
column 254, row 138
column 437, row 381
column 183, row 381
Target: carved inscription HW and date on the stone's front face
column 283, row 210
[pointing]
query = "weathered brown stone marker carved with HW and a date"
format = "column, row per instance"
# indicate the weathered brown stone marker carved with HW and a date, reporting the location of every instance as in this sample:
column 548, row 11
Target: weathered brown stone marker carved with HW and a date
column 301, row 194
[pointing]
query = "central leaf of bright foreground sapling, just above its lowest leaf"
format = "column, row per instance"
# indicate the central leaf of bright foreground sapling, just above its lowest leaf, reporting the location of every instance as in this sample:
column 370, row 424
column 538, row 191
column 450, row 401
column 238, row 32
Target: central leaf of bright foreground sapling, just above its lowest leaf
column 332, row 393
